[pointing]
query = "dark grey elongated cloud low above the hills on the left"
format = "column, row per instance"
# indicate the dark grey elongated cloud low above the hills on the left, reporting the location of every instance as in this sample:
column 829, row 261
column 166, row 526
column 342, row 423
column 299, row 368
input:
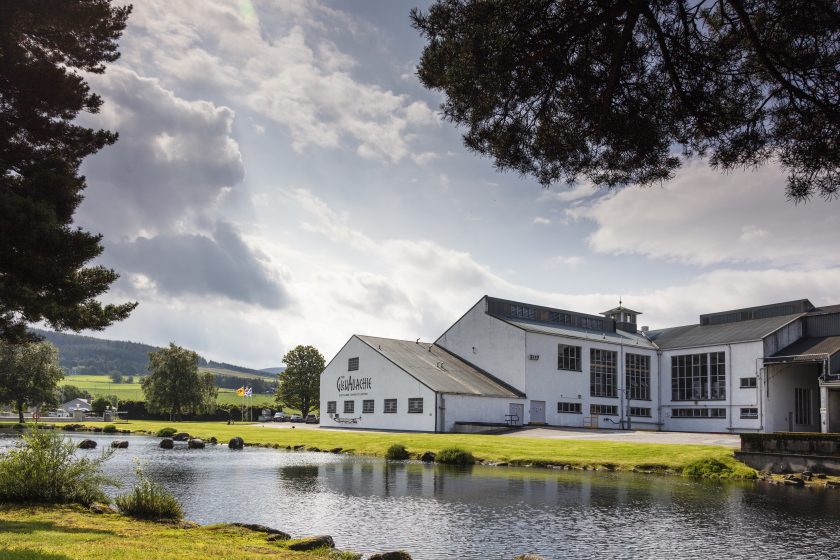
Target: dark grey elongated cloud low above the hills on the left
column 181, row 264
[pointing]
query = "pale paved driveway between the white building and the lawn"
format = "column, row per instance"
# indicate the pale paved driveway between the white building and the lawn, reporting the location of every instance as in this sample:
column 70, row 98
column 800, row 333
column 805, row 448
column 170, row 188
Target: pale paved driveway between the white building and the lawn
column 728, row 440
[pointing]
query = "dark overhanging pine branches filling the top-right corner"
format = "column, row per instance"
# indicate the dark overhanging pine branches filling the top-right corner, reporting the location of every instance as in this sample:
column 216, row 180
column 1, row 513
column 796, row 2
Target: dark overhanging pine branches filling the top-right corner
column 620, row 92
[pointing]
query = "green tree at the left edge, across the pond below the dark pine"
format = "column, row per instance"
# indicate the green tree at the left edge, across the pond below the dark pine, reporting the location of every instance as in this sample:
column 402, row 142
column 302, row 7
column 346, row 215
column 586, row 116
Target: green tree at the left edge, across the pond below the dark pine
column 29, row 374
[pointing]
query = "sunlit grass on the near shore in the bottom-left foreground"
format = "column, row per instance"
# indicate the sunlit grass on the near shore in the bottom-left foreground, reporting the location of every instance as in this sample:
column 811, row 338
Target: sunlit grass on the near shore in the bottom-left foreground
column 71, row 532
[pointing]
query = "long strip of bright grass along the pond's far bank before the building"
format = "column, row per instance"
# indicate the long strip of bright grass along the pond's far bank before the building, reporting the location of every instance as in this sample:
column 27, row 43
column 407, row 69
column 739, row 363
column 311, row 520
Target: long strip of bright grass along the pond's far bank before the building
column 515, row 451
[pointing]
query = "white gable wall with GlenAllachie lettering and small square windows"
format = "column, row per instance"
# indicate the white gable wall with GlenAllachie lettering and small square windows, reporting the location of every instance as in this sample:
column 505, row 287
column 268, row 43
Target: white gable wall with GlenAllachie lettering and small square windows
column 387, row 381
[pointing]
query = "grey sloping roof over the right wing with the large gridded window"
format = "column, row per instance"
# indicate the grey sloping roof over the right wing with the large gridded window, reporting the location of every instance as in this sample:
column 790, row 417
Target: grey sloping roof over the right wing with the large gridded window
column 725, row 333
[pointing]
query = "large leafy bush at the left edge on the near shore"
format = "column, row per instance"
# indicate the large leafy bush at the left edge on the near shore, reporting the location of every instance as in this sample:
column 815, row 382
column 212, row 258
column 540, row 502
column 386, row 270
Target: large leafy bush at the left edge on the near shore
column 44, row 468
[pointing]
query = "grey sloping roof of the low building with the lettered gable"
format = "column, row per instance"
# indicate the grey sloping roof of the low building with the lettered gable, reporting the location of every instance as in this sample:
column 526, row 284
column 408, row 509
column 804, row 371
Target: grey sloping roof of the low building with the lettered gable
column 440, row 370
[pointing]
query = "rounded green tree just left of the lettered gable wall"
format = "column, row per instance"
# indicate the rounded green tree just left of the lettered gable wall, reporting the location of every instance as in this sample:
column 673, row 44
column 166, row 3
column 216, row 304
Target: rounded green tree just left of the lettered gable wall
column 299, row 385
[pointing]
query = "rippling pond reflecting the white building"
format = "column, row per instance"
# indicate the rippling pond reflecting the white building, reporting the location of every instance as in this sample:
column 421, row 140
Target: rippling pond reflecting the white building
column 436, row 512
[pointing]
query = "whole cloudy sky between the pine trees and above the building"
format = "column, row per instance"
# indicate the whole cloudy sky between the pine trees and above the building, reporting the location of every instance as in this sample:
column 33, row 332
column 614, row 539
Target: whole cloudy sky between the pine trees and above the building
column 282, row 178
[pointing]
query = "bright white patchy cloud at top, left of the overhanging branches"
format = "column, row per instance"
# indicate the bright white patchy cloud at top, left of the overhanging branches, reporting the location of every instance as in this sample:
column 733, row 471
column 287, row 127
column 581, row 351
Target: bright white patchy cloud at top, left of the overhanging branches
column 273, row 61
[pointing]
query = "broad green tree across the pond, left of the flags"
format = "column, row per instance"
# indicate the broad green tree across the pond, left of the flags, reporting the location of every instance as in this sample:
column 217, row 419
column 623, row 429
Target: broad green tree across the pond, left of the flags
column 174, row 384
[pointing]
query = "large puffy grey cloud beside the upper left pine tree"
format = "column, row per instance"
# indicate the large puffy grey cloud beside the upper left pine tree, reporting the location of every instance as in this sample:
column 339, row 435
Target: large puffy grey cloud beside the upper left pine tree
column 172, row 162
